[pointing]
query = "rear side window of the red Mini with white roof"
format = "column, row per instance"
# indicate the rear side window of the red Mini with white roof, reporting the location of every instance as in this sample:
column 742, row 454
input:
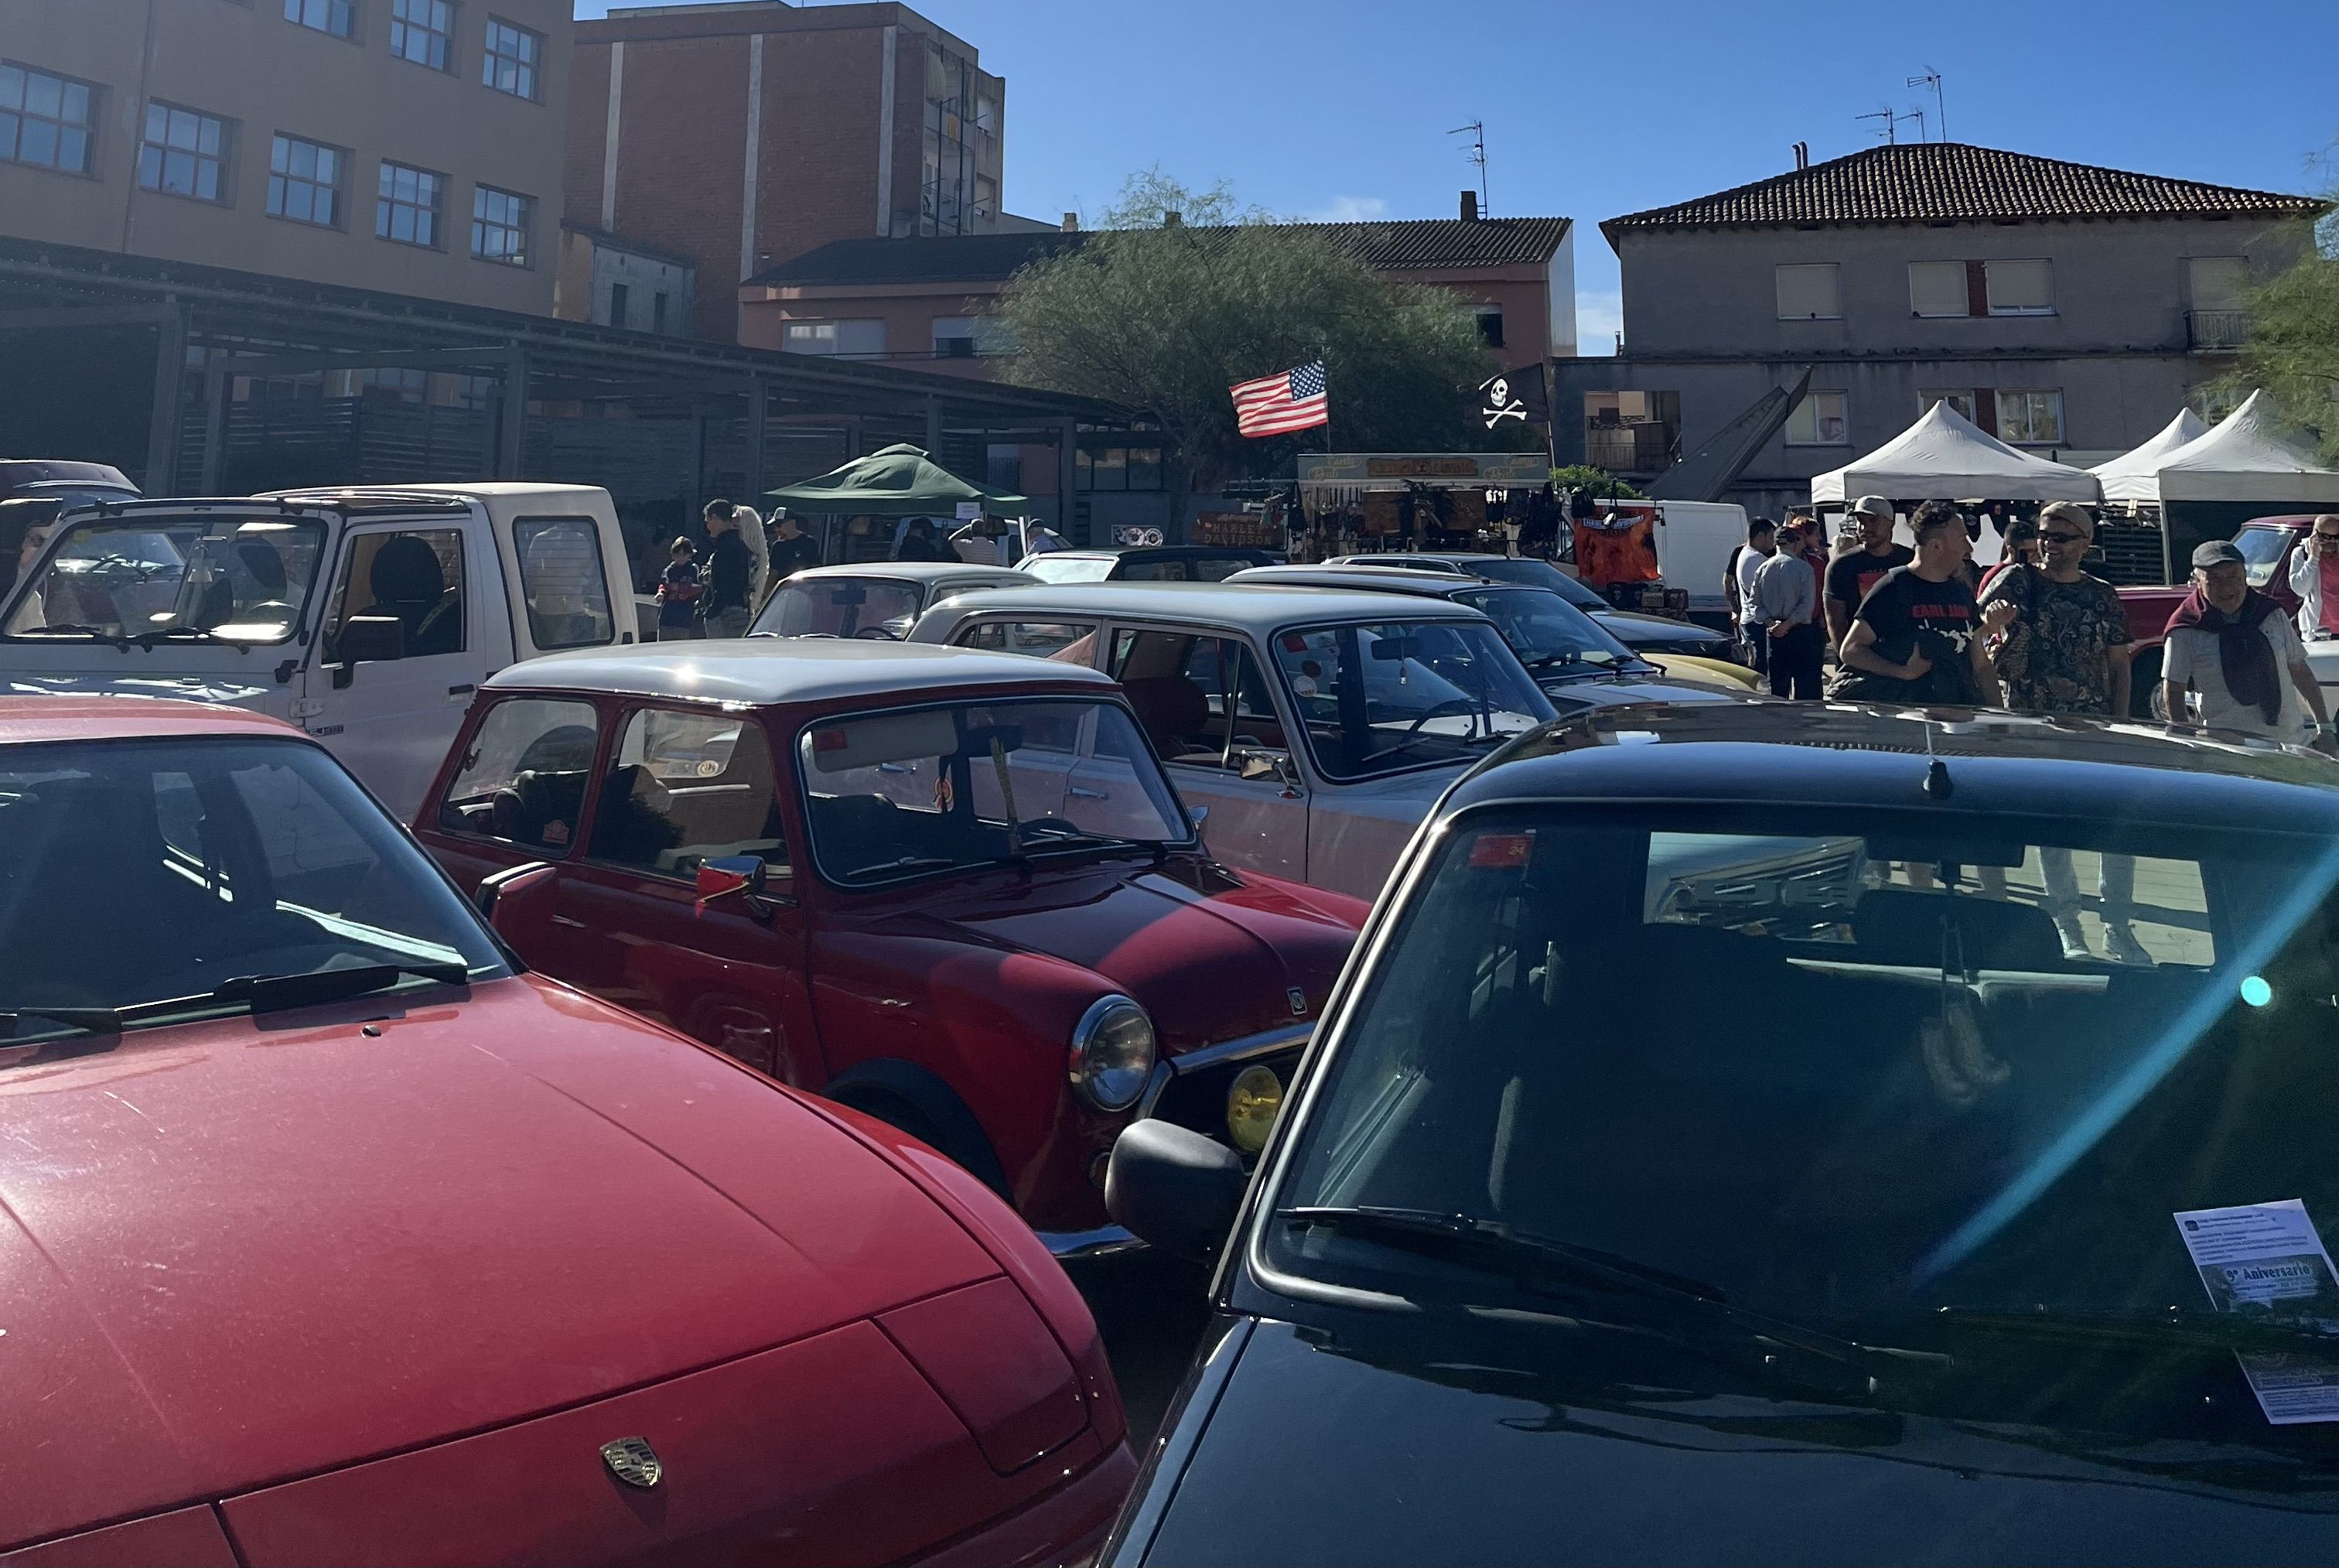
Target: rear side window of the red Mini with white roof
column 523, row 776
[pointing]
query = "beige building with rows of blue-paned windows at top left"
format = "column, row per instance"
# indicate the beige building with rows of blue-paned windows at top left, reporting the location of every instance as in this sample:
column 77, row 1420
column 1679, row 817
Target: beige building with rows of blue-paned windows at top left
column 403, row 146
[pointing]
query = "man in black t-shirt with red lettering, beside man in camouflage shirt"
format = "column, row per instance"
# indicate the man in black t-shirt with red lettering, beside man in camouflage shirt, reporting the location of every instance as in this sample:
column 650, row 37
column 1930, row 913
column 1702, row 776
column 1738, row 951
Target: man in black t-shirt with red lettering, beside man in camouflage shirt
column 1917, row 638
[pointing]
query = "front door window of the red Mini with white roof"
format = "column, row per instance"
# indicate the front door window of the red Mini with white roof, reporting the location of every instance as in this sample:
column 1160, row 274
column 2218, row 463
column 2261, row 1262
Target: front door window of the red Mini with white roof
column 689, row 788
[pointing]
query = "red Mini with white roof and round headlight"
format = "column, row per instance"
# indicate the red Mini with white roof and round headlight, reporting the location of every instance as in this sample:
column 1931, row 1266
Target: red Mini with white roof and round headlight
column 946, row 888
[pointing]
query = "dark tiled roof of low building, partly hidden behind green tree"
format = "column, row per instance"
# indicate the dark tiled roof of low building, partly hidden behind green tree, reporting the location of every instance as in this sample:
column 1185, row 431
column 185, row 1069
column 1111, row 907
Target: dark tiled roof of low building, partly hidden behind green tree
column 1407, row 245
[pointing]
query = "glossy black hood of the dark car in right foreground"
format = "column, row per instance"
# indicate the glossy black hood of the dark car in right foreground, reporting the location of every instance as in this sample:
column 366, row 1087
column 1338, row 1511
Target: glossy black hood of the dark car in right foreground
column 1323, row 1457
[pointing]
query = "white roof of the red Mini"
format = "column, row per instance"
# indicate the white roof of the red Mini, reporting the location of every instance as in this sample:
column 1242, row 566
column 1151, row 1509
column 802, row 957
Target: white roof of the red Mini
column 768, row 670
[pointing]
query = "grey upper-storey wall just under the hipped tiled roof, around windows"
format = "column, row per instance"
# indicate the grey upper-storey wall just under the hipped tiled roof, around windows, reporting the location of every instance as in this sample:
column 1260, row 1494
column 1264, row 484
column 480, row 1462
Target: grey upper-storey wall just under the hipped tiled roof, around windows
column 2116, row 287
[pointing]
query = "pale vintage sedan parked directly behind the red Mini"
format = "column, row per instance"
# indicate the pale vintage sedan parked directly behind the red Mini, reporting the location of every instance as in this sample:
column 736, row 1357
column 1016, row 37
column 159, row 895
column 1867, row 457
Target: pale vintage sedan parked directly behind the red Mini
column 1316, row 729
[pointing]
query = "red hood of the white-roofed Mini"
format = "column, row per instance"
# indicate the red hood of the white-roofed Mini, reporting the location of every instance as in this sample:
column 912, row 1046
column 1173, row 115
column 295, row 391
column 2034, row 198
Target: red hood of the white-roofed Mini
column 1208, row 954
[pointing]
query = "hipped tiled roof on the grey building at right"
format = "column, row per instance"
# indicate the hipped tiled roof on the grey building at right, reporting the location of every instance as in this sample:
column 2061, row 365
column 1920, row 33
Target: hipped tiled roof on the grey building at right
column 1957, row 181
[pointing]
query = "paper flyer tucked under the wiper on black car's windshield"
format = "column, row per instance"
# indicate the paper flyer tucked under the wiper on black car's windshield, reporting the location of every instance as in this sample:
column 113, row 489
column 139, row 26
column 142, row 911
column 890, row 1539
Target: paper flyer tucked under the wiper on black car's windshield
column 2268, row 1260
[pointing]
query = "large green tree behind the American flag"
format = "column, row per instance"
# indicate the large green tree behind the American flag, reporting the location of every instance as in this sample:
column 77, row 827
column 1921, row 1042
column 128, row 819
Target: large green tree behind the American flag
column 1166, row 315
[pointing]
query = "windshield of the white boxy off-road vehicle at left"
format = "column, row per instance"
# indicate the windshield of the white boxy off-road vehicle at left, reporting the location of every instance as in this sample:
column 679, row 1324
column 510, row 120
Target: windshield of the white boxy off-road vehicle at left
column 160, row 577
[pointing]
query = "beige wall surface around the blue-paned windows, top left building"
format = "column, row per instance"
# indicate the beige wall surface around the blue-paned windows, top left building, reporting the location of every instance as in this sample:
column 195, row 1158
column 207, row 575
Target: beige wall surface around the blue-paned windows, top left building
column 263, row 76
